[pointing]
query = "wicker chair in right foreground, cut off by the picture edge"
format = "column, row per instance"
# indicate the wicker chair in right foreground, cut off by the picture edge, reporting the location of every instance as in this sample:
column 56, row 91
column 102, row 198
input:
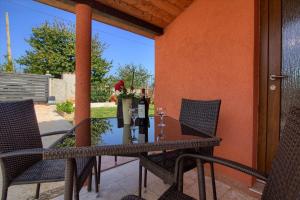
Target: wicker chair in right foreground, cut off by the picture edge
column 284, row 179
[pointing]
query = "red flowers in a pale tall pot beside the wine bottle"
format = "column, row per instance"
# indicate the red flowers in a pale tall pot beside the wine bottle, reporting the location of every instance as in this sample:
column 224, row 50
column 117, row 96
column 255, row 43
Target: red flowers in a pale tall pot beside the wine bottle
column 126, row 97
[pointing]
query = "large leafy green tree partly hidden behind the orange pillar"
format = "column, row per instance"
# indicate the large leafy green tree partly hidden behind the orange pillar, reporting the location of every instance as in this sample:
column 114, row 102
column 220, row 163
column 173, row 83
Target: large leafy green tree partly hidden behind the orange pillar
column 53, row 51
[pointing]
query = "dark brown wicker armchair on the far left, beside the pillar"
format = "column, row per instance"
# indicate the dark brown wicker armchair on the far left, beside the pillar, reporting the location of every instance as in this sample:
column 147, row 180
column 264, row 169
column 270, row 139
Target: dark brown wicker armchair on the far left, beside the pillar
column 19, row 131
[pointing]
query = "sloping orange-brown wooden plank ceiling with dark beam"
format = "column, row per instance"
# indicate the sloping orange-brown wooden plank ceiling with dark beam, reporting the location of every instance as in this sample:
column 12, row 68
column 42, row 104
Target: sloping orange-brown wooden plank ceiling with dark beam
column 144, row 17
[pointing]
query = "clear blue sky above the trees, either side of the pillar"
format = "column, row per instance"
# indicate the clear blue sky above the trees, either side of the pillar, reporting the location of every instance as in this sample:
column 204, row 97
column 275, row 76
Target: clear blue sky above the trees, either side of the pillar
column 123, row 47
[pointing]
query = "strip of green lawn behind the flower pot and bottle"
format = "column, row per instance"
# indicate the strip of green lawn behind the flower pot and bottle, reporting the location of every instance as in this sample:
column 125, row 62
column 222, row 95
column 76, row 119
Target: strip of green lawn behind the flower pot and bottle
column 112, row 112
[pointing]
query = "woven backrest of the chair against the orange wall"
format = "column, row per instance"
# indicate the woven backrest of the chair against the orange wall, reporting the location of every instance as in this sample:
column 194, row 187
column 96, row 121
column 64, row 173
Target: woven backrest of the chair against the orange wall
column 200, row 115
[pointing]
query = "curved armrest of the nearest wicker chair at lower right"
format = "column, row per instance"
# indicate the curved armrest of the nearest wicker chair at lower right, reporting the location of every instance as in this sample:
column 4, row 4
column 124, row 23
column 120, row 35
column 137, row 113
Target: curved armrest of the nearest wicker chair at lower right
column 228, row 163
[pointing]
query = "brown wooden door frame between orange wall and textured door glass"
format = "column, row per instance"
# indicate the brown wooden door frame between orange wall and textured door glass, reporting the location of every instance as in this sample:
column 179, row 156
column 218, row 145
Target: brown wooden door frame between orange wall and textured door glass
column 269, row 101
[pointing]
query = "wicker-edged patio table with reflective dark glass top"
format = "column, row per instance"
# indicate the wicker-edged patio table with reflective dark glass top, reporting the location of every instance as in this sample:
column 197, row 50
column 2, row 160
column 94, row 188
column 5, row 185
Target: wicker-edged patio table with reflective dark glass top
column 108, row 139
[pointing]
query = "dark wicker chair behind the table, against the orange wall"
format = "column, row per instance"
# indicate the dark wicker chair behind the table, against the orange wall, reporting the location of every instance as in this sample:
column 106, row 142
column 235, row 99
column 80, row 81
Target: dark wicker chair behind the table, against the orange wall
column 200, row 115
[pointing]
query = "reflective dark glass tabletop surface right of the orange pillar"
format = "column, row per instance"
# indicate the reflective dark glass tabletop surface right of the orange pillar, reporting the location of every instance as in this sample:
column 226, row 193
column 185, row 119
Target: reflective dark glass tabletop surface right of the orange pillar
column 107, row 132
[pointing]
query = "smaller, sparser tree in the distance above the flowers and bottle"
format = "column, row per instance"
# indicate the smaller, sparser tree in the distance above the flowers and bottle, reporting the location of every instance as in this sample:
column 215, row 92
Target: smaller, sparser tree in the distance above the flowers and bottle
column 141, row 75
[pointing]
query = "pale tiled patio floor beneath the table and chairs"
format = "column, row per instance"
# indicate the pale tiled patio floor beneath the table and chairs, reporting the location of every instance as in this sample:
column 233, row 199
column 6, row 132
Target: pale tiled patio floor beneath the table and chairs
column 123, row 180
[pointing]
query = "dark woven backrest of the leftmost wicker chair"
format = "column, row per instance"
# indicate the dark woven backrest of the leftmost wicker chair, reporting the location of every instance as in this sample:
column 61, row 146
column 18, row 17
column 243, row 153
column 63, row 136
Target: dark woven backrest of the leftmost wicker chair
column 18, row 130
